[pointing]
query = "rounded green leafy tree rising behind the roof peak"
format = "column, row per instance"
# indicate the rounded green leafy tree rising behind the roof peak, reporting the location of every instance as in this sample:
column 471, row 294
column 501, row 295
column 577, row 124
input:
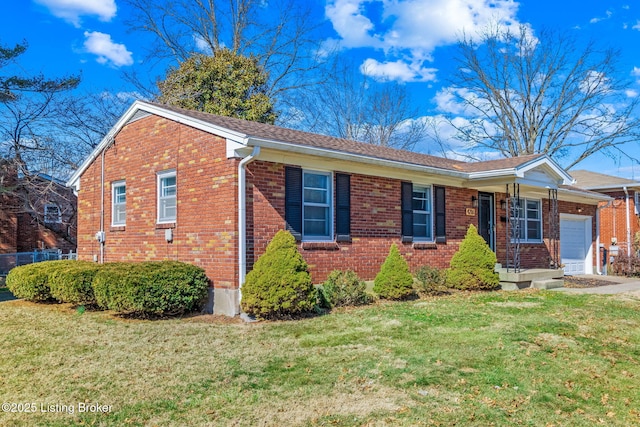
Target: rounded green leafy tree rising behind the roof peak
column 227, row 84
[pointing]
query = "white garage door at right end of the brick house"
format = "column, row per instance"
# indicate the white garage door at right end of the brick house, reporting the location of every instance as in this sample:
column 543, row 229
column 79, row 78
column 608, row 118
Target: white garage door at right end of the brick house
column 575, row 244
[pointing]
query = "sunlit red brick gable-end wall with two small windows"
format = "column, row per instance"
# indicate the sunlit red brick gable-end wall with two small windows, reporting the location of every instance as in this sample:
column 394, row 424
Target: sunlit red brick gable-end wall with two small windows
column 205, row 230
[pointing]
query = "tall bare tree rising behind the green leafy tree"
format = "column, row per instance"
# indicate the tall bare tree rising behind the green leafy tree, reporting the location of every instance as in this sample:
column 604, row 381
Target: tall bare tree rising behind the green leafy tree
column 279, row 35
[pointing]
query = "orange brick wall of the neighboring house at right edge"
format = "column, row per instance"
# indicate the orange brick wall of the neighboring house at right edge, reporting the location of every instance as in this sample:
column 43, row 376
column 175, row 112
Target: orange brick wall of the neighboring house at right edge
column 613, row 220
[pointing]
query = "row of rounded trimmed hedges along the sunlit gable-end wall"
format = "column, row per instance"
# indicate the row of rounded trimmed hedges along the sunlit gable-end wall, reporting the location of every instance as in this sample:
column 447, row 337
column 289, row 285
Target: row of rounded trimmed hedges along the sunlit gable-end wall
column 158, row 288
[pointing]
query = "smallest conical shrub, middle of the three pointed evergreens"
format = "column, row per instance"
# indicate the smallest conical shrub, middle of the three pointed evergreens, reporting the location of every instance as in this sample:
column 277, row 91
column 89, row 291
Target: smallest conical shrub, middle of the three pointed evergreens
column 394, row 281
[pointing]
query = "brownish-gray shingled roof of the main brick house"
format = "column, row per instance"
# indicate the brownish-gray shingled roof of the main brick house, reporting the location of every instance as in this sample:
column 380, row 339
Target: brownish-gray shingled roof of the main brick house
column 291, row 136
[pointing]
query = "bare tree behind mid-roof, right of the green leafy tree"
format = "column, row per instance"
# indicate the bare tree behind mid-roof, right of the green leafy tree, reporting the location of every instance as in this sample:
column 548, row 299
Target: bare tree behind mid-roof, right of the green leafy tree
column 350, row 105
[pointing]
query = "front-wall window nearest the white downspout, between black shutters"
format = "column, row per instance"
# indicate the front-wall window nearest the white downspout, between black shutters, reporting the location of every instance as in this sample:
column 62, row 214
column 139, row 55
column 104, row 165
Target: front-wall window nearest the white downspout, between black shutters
column 317, row 220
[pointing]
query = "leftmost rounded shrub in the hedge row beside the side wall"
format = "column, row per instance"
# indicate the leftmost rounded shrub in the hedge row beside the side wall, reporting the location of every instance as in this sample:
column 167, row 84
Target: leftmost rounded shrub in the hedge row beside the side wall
column 31, row 282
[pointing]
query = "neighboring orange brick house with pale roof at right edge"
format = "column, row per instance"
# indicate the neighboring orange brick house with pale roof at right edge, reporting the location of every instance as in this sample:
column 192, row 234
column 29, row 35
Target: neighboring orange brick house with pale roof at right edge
column 620, row 217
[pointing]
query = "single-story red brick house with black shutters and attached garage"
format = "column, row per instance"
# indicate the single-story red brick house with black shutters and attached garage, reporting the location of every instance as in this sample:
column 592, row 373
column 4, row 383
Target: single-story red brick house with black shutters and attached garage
column 169, row 183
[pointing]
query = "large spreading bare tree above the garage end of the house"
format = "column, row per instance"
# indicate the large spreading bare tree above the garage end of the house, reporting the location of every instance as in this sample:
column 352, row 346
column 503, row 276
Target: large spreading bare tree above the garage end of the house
column 525, row 94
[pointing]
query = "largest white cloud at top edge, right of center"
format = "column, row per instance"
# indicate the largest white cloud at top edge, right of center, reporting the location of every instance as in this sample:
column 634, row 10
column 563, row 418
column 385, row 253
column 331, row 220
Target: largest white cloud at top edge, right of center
column 408, row 32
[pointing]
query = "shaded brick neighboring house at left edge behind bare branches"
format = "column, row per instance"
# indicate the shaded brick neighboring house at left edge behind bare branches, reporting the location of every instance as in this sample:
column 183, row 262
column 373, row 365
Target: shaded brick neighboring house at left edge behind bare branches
column 38, row 213
